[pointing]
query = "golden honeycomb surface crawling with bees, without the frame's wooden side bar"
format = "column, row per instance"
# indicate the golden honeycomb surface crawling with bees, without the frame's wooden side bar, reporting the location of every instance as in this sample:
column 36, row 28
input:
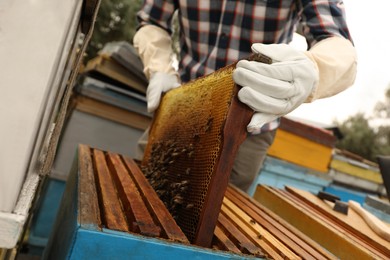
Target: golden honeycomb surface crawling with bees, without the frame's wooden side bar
column 185, row 142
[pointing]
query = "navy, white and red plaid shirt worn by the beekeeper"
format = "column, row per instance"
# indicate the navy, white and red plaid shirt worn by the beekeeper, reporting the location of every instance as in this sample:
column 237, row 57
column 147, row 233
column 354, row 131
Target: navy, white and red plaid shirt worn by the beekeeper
column 216, row 33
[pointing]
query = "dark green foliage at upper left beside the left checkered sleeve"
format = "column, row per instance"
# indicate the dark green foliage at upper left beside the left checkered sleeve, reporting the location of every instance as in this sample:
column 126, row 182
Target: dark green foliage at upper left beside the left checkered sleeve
column 116, row 21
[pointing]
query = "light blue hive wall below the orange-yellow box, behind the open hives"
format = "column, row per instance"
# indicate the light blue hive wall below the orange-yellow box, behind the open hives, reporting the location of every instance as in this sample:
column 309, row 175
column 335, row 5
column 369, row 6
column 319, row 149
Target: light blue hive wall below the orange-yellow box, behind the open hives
column 278, row 173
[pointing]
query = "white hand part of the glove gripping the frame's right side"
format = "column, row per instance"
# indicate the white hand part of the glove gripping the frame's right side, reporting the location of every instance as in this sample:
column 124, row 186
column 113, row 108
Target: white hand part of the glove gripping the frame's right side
column 274, row 90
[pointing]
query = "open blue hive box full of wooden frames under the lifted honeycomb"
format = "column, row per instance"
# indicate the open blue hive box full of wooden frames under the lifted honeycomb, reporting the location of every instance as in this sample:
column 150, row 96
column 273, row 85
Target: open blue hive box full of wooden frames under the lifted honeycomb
column 111, row 211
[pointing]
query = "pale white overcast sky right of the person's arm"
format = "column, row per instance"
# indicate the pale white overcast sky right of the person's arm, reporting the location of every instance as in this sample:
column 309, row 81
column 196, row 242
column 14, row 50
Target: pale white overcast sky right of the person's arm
column 368, row 25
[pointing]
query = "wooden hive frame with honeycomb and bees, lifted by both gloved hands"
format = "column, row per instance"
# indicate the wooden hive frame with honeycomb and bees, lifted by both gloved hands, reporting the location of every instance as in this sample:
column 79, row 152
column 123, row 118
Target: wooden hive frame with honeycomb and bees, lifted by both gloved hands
column 192, row 144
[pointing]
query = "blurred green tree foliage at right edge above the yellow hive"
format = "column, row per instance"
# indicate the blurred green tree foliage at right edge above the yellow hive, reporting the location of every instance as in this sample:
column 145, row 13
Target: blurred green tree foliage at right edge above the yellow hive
column 362, row 139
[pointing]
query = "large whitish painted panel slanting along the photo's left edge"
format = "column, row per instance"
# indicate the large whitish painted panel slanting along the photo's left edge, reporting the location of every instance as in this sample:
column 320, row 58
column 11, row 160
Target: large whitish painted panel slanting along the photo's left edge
column 33, row 35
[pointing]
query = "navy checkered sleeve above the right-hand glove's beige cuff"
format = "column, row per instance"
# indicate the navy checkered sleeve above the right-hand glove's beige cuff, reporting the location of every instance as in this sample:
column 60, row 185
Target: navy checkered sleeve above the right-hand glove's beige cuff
column 322, row 19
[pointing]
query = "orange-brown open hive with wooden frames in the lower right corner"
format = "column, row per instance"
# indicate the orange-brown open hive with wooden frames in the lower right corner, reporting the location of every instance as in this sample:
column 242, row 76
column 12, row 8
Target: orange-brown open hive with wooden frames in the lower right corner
column 347, row 236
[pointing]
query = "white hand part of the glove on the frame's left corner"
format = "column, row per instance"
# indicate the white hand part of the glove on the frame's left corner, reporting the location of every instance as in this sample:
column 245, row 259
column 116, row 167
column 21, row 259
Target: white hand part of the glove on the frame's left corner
column 159, row 83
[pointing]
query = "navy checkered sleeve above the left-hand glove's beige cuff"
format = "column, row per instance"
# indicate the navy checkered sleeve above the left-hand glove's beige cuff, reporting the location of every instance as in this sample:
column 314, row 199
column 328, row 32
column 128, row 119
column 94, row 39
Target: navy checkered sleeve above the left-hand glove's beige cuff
column 157, row 12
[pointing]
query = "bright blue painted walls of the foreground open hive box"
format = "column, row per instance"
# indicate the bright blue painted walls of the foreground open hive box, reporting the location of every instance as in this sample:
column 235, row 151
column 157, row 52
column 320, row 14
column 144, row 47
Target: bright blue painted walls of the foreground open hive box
column 70, row 240
